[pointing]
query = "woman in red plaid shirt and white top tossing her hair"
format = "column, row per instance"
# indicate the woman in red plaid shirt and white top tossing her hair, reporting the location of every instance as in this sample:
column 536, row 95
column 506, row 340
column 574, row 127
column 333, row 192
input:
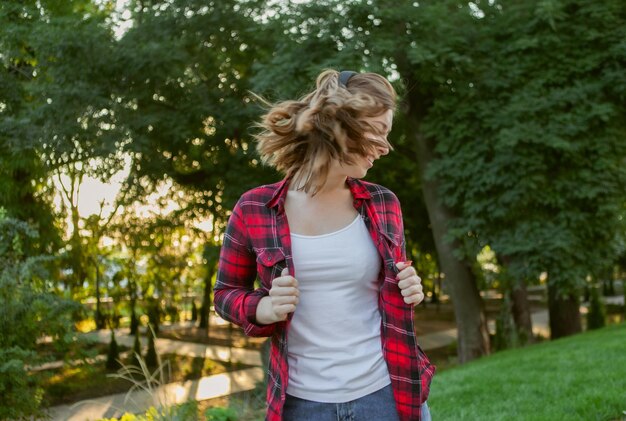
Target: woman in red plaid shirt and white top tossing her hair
column 336, row 293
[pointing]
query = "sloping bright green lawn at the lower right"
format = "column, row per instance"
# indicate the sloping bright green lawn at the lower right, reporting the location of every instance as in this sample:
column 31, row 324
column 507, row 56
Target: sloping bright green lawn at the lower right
column 582, row 377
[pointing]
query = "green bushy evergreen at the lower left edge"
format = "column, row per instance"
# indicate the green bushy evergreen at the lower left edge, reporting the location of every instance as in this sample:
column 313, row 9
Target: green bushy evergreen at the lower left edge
column 28, row 312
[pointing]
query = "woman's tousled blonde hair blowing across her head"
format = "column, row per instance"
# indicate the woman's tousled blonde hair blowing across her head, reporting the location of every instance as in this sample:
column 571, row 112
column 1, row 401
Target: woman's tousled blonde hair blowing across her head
column 301, row 138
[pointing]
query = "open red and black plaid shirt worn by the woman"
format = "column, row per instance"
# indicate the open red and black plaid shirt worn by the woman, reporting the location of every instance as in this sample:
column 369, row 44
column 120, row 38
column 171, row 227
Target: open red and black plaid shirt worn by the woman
column 257, row 242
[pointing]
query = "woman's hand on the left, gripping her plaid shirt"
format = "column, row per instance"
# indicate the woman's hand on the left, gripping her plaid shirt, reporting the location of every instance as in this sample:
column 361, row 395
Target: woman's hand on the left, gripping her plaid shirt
column 283, row 299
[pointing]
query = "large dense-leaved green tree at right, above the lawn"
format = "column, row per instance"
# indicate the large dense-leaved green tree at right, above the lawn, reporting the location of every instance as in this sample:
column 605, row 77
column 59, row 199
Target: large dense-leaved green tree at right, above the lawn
column 531, row 143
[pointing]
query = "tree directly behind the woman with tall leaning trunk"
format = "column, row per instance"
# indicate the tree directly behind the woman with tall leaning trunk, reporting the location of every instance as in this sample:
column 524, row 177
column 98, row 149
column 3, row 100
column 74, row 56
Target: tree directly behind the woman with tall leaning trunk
column 417, row 44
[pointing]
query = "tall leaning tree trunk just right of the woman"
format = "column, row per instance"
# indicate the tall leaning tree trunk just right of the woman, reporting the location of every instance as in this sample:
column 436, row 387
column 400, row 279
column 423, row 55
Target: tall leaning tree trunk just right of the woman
column 473, row 336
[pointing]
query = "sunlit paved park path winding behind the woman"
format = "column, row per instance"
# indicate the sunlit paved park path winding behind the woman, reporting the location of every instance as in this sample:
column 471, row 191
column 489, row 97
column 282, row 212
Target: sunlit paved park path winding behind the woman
column 214, row 386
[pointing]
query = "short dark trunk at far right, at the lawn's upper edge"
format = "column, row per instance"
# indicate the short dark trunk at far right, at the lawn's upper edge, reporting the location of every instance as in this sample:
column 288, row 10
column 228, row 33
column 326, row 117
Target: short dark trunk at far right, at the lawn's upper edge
column 564, row 313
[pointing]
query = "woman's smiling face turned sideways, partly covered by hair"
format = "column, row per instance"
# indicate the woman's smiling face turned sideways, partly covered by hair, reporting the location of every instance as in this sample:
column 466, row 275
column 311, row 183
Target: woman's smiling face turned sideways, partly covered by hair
column 364, row 163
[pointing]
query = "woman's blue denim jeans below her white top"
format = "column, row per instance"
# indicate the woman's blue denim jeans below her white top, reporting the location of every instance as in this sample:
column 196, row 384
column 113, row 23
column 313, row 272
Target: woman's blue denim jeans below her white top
column 379, row 406
